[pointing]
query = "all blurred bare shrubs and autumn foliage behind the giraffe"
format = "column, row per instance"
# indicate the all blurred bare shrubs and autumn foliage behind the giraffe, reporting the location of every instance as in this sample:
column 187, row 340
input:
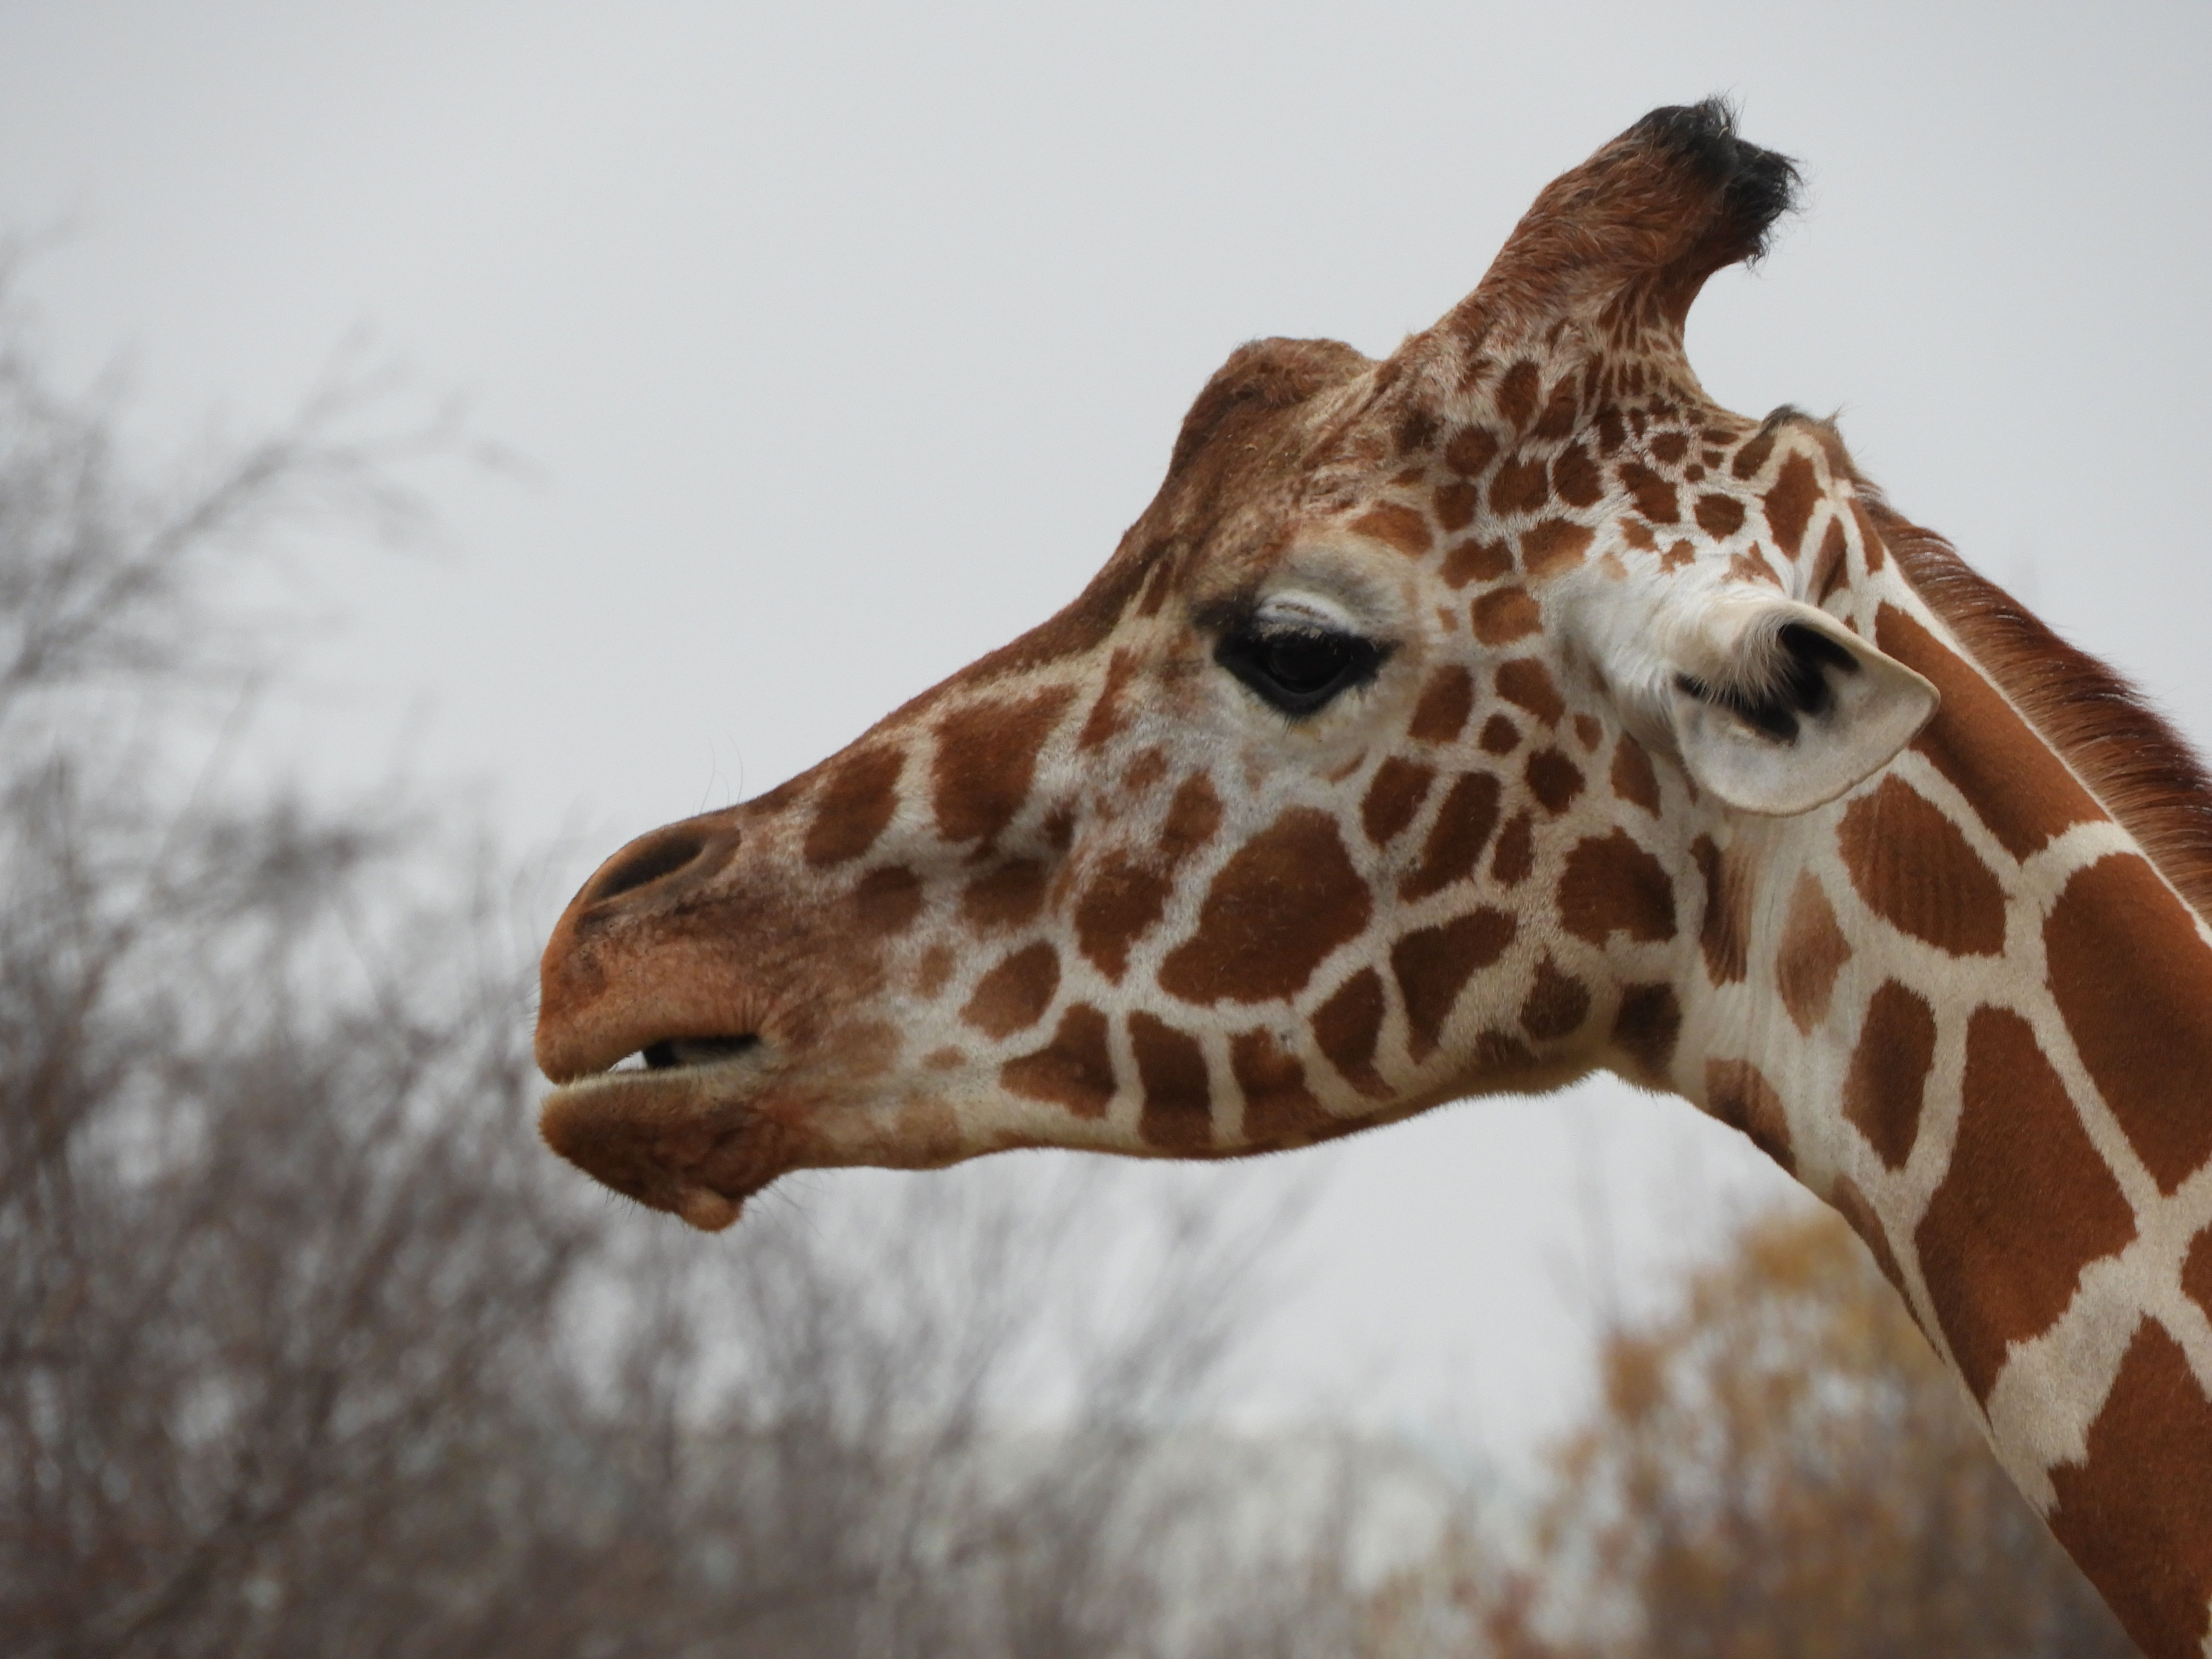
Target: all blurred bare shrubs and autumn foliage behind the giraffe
column 306, row 1348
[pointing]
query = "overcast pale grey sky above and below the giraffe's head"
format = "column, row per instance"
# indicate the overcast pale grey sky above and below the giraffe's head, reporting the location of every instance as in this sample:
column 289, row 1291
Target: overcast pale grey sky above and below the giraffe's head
column 844, row 340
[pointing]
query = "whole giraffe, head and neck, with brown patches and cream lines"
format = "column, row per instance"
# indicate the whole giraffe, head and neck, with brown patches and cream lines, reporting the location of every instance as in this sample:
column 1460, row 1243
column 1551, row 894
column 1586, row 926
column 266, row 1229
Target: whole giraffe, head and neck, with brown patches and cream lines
column 1468, row 722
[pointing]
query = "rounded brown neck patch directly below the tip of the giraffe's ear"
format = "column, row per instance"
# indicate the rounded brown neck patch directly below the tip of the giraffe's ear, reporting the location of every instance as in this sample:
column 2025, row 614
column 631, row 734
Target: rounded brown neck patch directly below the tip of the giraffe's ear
column 1917, row 870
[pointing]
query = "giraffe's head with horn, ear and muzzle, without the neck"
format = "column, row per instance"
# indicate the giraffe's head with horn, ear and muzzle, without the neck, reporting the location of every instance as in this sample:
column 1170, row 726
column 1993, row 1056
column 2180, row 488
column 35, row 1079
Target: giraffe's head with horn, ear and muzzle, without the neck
column 1364, row 778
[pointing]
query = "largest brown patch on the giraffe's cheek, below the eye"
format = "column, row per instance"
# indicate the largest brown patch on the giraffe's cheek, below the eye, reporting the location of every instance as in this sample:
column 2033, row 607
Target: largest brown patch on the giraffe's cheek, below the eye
column 1273, row 915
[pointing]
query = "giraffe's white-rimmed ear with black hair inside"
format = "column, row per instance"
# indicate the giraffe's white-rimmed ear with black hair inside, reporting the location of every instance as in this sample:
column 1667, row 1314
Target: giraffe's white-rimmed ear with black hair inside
column 1782, row 709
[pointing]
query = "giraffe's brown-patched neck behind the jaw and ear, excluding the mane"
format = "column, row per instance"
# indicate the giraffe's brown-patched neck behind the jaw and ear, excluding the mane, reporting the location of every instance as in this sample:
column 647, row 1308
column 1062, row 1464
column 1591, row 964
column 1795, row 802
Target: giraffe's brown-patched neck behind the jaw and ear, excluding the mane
column 1968, row 1010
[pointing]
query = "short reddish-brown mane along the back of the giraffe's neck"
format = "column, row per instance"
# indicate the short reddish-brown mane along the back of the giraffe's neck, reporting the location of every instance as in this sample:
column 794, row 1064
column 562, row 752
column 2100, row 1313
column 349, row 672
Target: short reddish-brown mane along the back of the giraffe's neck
column 2122, row 749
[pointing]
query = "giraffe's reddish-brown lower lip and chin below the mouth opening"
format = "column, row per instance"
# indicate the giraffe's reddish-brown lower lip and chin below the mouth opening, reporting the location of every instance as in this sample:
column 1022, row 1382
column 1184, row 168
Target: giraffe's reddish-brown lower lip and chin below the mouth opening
column 678, row 1142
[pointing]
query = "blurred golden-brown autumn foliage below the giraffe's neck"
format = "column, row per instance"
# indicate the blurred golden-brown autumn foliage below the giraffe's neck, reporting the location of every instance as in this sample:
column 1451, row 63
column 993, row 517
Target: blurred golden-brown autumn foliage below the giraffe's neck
column 1777, row 1468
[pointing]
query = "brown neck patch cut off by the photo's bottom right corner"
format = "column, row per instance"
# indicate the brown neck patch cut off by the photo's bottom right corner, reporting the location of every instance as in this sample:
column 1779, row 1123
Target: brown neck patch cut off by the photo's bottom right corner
column 2138, row 1512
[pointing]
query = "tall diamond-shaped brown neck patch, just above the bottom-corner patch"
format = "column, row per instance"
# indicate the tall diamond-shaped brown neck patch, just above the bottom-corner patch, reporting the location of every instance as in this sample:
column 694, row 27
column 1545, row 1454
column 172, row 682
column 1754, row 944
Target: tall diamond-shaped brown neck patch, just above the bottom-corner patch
column 2025, row 1207
